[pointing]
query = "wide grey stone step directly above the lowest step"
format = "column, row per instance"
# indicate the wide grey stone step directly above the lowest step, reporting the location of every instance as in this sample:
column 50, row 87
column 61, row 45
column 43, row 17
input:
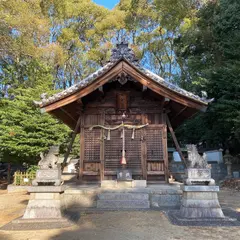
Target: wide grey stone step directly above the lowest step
column 123, row 196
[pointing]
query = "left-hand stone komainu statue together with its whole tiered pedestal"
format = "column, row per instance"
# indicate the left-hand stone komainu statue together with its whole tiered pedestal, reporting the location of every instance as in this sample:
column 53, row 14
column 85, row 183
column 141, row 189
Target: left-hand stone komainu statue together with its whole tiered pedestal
column 46, row 192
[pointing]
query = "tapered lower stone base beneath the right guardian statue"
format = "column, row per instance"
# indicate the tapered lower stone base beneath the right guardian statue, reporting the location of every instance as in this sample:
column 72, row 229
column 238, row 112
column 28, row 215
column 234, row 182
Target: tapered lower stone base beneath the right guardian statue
column 200, row 202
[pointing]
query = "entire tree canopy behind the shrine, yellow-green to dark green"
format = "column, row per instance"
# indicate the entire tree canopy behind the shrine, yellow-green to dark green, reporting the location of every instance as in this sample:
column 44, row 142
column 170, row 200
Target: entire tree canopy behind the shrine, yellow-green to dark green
column 49, row 45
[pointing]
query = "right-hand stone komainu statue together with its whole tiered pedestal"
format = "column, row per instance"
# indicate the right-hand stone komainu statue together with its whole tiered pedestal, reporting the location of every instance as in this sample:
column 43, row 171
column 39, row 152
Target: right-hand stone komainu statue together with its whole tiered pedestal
column 200, row 199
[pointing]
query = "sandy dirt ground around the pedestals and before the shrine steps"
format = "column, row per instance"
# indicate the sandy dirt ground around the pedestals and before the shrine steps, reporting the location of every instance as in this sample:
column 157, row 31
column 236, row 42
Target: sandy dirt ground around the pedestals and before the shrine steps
column 117, row 225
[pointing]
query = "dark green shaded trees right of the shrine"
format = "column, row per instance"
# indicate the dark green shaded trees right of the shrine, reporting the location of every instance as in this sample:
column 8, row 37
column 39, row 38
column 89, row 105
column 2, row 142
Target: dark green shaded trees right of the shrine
column 210, row 53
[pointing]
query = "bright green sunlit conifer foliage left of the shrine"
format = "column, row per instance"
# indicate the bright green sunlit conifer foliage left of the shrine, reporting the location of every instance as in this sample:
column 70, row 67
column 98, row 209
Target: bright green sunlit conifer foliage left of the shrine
column 24, row 131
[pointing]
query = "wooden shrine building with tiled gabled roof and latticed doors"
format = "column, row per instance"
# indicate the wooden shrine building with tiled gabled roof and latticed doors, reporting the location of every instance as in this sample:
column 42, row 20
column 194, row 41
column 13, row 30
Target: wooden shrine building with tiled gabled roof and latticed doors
column 123, row 112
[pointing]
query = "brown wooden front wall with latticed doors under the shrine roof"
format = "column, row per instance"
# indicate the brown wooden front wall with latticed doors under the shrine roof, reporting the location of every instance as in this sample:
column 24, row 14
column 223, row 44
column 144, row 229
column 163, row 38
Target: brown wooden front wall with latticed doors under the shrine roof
column 146, row 151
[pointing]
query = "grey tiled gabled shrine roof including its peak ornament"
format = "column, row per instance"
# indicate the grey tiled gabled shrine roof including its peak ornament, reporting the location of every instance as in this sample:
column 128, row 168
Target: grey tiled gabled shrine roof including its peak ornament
column 122, row 54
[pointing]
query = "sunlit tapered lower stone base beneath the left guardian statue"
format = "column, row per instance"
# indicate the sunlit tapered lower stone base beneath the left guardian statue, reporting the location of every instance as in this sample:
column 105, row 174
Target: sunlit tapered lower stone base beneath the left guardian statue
column 44, row 203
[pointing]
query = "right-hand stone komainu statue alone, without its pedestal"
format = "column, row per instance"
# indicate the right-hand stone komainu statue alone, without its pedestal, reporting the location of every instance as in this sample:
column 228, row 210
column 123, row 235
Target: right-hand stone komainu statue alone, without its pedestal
column 194, row 159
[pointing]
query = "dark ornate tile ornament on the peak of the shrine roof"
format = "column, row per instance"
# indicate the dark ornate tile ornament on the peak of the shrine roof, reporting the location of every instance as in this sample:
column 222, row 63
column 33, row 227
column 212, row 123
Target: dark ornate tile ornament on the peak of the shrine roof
column 122, row 50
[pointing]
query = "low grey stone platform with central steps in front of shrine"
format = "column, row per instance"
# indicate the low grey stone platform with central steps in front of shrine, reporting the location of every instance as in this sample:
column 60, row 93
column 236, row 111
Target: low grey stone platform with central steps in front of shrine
column 92, row 196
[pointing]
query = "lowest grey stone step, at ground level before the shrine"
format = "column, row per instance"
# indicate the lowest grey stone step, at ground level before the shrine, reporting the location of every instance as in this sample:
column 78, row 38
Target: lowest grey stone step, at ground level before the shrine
column 123, row 204
